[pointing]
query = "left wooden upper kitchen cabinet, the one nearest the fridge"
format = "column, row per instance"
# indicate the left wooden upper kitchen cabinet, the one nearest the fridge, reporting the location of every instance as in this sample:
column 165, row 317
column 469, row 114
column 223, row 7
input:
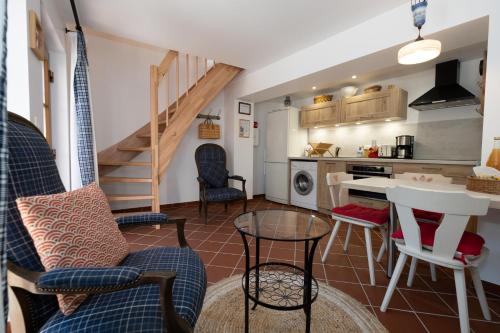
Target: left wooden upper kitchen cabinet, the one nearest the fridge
column 320, row 115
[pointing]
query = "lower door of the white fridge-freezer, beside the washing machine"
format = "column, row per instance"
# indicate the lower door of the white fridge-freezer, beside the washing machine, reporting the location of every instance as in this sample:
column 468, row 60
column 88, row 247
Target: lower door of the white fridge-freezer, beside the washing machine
column 277, row 182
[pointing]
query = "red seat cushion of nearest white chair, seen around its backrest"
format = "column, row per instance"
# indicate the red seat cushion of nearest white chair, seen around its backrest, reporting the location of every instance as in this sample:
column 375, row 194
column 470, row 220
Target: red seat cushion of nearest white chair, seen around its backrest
column 471, row 244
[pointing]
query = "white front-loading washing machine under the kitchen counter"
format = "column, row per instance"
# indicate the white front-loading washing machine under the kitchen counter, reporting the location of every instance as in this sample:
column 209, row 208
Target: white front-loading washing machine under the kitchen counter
column 303, row 187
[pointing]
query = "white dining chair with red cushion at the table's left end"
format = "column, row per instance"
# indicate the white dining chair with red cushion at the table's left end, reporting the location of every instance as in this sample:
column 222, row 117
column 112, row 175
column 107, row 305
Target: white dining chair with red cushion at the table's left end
column 368, row 218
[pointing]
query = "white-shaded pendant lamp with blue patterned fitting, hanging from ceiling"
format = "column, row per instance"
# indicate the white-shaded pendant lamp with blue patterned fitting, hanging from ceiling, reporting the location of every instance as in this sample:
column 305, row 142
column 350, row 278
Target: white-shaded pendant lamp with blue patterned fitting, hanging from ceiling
column 421, row 50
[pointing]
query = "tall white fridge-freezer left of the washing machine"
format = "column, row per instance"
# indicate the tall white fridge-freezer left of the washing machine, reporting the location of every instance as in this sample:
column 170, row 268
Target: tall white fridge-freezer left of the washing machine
column 284, row 139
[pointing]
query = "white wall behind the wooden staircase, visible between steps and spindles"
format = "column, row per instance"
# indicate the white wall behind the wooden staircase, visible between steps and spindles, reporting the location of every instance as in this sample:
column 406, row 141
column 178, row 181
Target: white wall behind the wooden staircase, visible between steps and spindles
column 119, row 76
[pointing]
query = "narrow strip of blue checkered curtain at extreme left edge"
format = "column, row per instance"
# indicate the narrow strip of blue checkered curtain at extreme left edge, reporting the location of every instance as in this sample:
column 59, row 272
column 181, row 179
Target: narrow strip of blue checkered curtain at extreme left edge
column 3, row 164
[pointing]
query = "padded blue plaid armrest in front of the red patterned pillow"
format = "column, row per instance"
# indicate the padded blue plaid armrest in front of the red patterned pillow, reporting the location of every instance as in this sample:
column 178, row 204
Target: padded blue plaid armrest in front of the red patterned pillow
column 88, row 279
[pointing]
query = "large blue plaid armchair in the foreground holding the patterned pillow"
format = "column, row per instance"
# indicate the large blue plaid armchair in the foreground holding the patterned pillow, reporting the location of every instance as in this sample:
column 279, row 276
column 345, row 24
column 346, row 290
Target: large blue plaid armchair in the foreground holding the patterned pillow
column 155, row 290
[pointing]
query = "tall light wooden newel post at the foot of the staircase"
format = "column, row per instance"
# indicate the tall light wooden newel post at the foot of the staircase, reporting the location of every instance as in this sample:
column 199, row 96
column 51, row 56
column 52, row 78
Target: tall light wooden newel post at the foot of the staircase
column 154, row 81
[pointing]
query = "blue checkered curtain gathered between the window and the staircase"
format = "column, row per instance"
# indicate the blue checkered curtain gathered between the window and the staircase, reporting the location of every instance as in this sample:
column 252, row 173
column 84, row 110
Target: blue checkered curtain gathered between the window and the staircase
column 85, row 131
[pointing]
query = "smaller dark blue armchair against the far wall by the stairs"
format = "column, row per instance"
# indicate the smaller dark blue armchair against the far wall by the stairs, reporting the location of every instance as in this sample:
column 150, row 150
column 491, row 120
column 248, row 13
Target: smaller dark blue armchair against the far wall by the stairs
column 213, row 178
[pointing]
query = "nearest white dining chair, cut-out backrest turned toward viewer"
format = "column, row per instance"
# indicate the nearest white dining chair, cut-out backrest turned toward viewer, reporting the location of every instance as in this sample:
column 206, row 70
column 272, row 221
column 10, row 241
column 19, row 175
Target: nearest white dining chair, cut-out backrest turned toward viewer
column 446, row 244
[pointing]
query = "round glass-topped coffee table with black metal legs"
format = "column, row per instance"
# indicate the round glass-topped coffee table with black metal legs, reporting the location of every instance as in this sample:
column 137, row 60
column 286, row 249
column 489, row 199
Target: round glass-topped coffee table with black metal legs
column 279, row 285
